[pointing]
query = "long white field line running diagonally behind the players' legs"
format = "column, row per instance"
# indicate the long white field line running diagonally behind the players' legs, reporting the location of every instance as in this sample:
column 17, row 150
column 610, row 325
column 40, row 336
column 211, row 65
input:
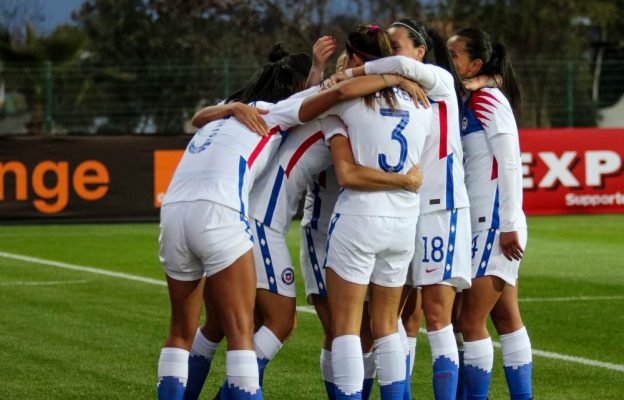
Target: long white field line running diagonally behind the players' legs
column 305, row 309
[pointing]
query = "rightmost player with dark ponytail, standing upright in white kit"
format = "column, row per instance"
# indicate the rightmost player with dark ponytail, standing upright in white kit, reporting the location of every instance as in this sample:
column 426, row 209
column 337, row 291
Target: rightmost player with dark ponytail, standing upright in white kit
column 494, row 181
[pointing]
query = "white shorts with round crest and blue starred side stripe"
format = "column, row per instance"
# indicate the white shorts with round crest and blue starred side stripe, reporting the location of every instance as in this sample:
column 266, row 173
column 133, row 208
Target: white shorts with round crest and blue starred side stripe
column 274, row 267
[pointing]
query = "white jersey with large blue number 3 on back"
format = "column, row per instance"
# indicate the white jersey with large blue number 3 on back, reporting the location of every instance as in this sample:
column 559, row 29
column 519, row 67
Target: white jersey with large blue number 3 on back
column 387, row 139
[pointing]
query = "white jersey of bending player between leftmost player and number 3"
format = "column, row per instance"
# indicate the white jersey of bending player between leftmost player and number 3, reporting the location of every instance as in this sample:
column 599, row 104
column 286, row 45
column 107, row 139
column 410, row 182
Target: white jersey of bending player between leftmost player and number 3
column 275, row 196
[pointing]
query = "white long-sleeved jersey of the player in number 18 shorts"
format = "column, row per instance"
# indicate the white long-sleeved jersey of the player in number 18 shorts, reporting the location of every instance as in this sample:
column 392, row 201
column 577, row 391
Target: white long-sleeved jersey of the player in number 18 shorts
column 443, row 186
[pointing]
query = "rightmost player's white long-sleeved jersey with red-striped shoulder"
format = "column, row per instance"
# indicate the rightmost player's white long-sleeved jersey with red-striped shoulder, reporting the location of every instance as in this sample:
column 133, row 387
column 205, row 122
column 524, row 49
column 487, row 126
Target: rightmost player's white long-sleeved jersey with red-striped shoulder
column 492, row 162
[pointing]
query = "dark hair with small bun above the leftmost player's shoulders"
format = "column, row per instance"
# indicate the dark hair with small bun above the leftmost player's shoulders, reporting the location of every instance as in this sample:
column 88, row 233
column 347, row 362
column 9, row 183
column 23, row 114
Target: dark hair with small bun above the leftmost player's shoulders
column 283, row 76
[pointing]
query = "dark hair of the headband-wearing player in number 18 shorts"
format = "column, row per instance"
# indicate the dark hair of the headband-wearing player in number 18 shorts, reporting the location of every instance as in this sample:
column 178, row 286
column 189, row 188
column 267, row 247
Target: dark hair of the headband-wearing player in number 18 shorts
column 433, row 42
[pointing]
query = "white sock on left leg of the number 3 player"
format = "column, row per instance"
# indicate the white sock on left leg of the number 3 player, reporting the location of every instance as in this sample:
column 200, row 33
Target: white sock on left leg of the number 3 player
column 348, row 364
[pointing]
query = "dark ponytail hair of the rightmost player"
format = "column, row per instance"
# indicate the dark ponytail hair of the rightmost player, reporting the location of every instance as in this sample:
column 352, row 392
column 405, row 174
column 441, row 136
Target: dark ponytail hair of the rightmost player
column 496, row 61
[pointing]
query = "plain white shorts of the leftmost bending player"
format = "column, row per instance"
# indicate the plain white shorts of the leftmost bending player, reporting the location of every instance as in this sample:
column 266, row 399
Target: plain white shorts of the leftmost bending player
column 201, row 237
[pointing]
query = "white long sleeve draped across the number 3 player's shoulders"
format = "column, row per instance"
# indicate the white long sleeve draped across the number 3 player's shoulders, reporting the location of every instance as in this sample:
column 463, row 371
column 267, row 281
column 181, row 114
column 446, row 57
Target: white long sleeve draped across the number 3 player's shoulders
column 405, row 66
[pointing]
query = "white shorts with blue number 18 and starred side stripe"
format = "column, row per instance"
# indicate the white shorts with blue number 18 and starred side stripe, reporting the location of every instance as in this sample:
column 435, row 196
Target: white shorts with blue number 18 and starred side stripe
column 442, row 253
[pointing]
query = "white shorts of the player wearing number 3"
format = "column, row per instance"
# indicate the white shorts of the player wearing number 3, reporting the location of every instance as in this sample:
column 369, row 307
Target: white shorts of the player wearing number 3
column 364, row 249
